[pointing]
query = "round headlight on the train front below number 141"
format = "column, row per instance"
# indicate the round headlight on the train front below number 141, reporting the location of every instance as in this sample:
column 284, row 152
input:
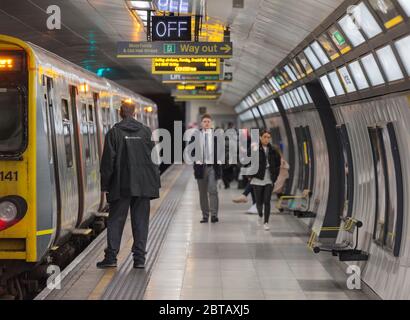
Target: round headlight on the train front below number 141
column 12, row 210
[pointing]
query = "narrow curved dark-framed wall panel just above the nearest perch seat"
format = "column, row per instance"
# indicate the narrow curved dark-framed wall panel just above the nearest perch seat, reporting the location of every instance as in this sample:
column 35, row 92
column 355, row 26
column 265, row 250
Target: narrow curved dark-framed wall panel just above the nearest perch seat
column 347, row 172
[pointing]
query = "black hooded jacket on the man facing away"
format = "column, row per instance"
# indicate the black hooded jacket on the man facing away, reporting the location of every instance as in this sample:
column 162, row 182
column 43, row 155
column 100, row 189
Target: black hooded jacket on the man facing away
column 126, row 166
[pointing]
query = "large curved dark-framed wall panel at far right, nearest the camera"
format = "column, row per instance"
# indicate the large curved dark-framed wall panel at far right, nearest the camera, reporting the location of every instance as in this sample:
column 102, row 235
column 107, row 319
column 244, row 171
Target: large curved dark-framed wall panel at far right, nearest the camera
column 389, row 188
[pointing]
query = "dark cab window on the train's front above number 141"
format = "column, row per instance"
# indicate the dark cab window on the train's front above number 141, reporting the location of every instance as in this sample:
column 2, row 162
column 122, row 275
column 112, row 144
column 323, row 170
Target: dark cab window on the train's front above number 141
column 12, row 121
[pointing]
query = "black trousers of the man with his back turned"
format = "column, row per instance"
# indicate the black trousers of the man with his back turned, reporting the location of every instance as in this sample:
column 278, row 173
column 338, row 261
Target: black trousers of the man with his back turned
column 140, row 210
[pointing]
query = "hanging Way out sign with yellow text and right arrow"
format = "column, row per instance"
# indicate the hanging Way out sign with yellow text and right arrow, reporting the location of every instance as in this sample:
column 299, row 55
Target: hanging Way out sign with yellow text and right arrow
column 174, row 49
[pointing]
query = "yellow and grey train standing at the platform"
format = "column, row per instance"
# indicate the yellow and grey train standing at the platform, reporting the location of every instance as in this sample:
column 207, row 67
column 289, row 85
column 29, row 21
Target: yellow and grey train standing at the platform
column 53, row 119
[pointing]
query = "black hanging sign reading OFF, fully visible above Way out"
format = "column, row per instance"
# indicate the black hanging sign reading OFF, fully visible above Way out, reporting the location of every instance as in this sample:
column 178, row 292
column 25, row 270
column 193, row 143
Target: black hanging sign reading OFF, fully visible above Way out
column 166, row 28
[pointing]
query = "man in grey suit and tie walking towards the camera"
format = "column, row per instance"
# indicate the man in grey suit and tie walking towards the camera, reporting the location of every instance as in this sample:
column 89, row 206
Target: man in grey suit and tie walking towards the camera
column 208, row 172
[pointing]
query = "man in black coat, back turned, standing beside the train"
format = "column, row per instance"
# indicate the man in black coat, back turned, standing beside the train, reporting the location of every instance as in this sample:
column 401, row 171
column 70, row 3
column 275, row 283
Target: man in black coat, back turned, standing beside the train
column 130, row 179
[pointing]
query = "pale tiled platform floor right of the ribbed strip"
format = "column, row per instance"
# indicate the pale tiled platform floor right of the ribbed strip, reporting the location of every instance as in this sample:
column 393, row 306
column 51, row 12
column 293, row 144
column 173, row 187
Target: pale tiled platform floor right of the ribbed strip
column 237, row 259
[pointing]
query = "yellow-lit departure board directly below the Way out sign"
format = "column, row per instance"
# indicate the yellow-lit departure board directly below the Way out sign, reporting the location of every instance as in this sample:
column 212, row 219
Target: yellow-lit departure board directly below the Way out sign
column 202, row 65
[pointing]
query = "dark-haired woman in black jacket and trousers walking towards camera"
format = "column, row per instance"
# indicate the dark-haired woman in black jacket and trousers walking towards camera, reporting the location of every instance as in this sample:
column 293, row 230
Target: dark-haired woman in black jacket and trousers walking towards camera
column 265, row 178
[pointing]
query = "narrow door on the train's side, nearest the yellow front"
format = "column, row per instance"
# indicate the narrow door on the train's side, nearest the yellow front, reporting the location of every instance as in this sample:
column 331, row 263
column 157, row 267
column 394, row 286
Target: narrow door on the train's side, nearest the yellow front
column 52, row 138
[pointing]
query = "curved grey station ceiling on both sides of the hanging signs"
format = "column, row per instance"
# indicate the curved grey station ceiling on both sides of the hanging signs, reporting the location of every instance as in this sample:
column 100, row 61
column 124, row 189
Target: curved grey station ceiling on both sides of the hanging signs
column 263, row 32
